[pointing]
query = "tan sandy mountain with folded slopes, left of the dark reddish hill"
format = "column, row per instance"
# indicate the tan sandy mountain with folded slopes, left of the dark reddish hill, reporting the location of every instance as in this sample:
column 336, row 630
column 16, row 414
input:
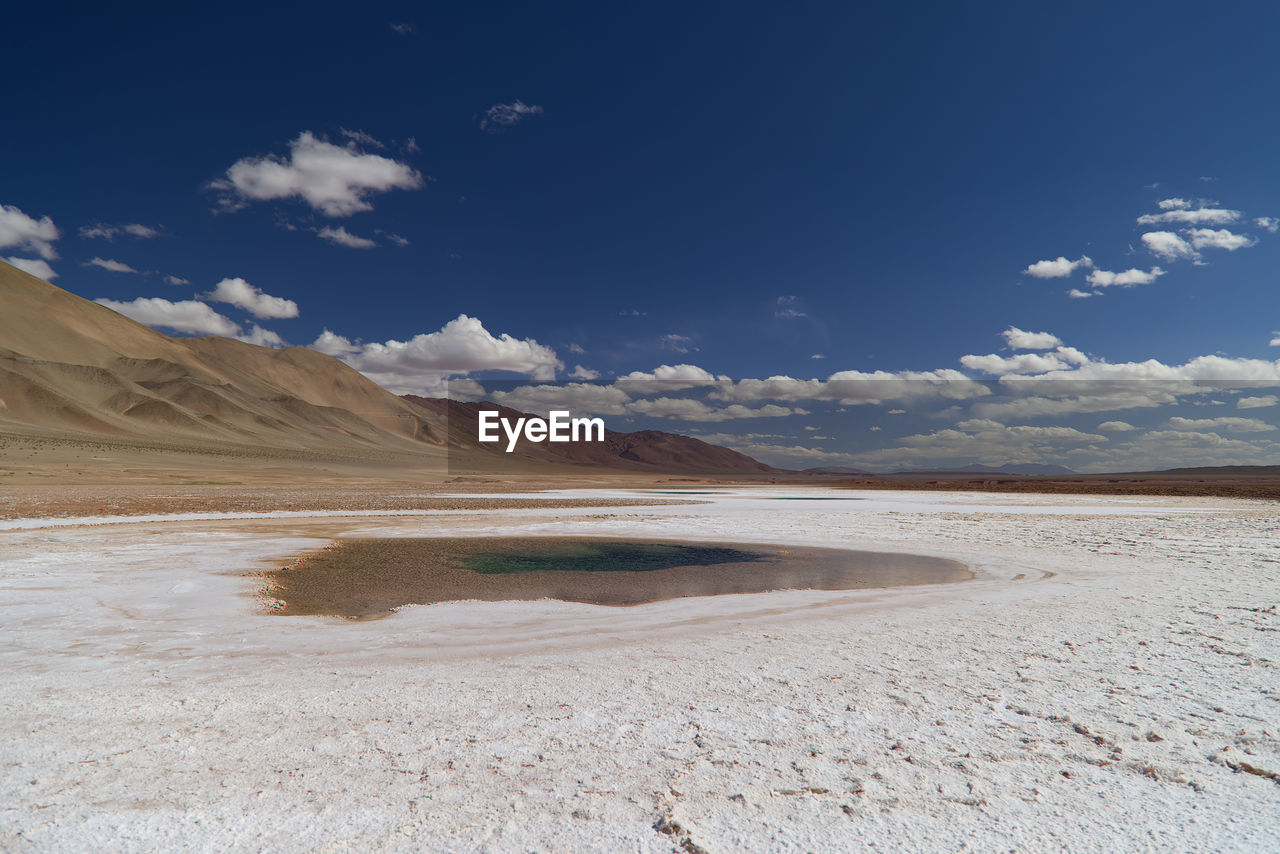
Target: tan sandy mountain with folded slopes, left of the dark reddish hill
column 72, row 367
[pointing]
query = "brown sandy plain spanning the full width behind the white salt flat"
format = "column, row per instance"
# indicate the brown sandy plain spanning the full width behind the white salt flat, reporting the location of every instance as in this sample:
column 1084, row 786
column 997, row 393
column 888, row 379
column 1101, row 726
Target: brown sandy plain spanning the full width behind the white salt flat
column 48, row 476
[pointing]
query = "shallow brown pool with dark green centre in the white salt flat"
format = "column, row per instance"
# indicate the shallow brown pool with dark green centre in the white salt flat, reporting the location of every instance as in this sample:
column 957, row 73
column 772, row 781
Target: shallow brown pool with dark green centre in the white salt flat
column 365, row 579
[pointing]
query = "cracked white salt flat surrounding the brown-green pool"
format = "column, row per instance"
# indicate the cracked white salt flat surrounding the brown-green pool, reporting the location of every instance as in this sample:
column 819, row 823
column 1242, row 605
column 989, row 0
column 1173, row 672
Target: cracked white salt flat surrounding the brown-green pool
column 1131, row 701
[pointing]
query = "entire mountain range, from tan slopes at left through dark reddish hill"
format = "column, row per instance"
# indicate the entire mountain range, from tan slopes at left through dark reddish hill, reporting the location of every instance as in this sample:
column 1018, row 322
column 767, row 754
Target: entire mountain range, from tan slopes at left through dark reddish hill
column 72, row 368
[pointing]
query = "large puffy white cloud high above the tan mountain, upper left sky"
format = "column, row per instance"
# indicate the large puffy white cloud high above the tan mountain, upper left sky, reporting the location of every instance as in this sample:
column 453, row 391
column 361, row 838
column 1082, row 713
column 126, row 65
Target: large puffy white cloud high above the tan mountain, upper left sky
column 335, row 180
